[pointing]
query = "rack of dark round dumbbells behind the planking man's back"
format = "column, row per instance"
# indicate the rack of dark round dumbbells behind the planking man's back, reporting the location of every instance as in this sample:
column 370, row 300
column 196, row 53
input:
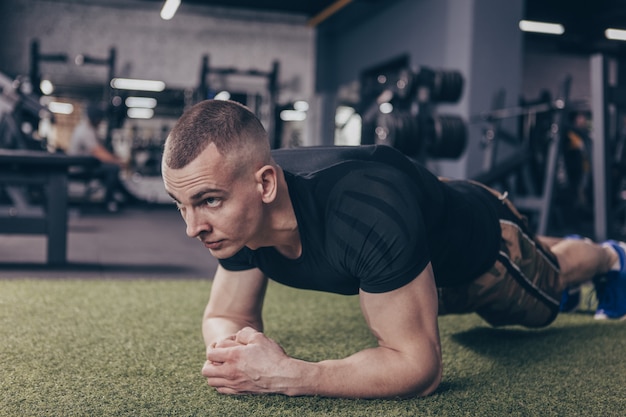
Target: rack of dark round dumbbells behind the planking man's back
column 398, row 108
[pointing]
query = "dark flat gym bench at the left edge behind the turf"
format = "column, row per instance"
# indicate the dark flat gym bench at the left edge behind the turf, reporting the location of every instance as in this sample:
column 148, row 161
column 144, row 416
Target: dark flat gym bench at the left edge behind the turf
column 19, row 168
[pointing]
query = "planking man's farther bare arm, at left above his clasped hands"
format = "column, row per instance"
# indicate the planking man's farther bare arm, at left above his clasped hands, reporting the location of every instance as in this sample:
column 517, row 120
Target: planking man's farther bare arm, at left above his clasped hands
column 236, row 302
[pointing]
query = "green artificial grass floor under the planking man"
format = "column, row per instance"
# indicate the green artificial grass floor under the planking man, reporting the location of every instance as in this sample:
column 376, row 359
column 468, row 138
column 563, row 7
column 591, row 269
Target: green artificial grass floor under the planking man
column 133, row 348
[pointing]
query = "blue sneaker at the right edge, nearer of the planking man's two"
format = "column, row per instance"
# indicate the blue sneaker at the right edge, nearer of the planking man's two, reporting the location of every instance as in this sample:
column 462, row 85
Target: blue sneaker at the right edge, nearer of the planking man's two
column 612, row 297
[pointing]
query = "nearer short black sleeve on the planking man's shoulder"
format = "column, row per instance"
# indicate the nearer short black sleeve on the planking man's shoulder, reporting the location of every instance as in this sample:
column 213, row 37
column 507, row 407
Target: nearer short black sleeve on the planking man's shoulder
column 375, row 228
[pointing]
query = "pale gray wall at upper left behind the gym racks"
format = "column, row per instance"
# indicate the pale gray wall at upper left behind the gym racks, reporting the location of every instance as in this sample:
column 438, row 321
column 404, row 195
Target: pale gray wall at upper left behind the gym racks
column 148, row 47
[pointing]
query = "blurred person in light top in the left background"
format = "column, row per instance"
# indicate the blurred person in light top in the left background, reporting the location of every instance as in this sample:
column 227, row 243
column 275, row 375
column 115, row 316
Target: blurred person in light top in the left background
column 85, row 142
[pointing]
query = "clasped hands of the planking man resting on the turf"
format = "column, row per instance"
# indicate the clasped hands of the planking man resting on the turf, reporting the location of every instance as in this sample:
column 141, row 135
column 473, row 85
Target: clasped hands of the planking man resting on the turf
column 247, row 362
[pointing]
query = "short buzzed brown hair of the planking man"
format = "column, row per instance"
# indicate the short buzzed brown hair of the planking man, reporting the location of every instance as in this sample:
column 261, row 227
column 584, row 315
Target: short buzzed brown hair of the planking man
column 229, row 125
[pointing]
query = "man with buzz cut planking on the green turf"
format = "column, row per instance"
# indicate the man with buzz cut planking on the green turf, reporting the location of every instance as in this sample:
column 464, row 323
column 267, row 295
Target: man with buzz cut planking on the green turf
column 363, row 220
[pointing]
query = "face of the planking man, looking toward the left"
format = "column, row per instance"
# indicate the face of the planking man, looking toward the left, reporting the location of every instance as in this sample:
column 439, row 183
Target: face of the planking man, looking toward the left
column 221, row 209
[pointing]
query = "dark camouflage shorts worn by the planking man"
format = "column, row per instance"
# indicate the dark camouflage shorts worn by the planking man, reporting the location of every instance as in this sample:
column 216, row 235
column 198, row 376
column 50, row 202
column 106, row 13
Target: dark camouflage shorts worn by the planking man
column 522, row 287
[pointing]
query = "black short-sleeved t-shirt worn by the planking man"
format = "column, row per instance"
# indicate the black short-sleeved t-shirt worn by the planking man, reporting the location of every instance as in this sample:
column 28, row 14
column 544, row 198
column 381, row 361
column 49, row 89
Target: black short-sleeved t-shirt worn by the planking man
column 374, row 221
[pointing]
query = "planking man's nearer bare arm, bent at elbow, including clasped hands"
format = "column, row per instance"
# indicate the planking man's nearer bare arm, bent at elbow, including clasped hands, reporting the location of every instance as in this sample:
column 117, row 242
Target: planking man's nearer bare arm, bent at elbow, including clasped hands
column 406, row 362
